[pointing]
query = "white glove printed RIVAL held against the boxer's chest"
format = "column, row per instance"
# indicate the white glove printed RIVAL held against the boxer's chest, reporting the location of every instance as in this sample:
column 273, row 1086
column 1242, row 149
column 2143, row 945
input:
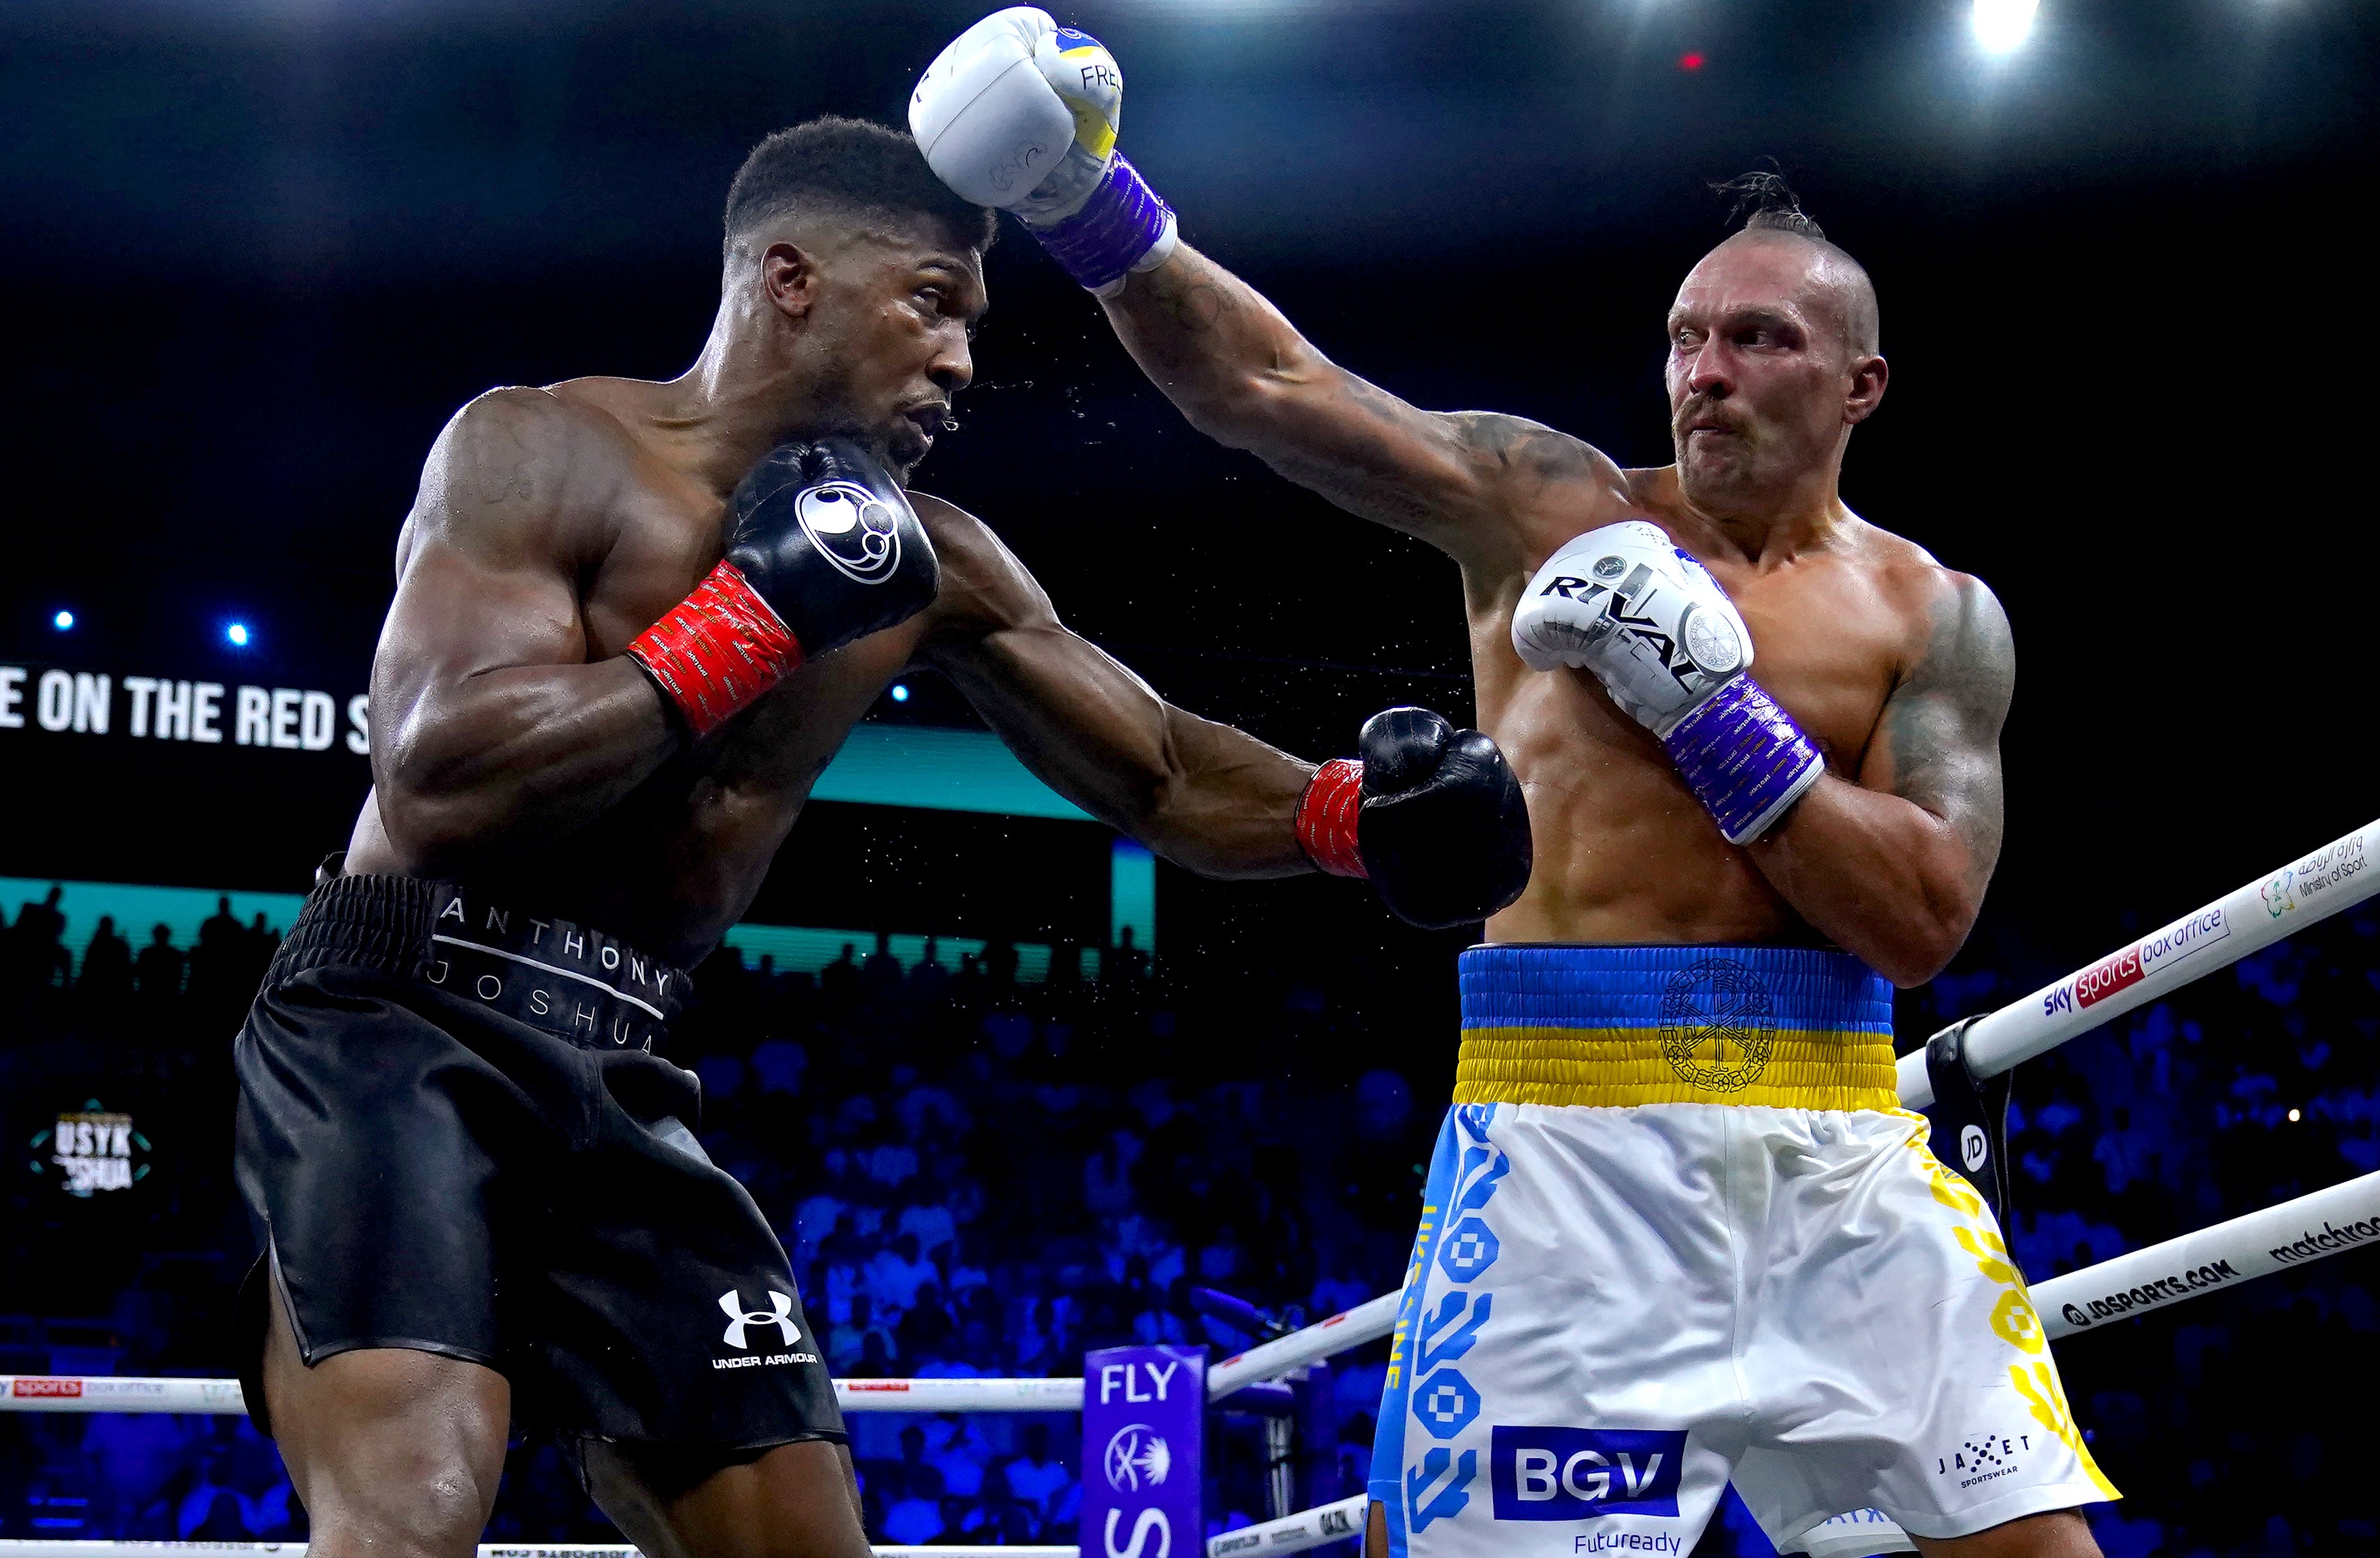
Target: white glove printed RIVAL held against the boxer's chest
column 1670, row 647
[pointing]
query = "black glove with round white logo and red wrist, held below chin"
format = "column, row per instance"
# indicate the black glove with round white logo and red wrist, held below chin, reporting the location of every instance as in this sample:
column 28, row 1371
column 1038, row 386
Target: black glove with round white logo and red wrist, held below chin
column 822, row 549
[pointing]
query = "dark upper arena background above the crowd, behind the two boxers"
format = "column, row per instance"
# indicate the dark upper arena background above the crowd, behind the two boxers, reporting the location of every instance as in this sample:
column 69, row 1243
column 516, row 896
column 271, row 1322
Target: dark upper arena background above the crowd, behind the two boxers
column 258, row 254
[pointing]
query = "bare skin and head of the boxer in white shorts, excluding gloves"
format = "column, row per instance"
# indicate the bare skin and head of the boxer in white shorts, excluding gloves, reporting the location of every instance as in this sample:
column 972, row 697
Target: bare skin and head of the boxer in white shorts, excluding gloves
column 1896, row 666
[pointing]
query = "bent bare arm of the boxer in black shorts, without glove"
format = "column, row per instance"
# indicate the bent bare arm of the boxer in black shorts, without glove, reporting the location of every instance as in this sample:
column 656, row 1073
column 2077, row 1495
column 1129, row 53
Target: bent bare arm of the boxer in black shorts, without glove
column 489, row 728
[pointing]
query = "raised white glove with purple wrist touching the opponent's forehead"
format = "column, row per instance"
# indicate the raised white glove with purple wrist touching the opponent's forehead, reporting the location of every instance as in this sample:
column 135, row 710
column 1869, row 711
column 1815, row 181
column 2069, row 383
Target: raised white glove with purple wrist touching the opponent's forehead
column 1022, row 113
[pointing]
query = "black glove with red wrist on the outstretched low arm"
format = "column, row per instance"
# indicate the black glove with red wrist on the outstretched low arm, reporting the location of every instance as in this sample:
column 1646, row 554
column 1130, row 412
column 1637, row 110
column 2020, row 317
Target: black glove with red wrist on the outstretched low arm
column 1432, row 816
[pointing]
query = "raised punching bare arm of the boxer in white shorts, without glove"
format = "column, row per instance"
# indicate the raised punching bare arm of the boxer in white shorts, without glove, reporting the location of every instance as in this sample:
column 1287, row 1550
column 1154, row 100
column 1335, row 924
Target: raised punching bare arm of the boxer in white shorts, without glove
column 1244, row 375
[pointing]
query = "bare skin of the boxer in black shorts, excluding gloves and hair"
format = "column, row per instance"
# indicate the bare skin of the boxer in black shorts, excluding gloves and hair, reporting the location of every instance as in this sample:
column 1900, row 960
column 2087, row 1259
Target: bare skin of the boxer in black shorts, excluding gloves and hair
column 518, row 747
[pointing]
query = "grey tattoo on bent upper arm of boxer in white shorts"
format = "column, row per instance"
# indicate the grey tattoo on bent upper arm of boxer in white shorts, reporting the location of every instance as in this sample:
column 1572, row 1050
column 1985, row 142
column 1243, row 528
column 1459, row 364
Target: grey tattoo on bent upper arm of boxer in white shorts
column 1943, row 723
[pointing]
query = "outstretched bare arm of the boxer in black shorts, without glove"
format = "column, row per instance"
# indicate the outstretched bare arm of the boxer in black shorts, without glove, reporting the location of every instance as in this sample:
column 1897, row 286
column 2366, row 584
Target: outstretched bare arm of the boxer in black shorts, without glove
column 1201, row 794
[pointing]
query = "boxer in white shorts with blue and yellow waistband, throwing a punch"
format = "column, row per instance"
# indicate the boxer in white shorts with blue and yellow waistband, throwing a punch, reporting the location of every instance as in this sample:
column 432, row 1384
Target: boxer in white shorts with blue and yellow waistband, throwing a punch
column 1679, row 1228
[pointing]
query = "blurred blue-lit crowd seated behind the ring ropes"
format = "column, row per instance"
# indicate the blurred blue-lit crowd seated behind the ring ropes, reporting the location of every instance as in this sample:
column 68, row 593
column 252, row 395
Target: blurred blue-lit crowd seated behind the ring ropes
column 982, row 1176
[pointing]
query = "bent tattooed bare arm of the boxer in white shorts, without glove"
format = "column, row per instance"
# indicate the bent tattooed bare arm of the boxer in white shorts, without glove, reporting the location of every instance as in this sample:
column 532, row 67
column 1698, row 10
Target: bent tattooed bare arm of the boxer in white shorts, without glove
column 1893, row 868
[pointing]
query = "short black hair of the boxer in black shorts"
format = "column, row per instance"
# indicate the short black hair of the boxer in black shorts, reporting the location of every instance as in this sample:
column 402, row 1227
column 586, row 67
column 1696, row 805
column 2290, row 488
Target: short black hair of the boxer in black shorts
column 848, row 170
